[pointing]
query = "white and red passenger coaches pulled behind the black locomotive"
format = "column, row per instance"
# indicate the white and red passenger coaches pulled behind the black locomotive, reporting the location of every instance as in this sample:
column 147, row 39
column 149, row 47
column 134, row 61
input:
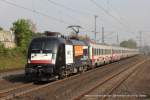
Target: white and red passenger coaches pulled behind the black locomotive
column 102, row 54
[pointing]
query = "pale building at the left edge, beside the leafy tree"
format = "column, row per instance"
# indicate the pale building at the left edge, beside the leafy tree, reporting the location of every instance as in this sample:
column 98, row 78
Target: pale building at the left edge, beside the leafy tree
column 8, row 39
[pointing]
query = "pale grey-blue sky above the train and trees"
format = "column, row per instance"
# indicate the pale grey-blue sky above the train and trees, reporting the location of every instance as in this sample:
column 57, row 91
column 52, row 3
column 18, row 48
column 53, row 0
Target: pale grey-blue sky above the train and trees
column 123, row 17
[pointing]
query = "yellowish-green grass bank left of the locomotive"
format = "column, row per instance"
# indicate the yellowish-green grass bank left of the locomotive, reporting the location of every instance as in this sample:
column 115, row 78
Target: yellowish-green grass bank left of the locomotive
column 11, row 62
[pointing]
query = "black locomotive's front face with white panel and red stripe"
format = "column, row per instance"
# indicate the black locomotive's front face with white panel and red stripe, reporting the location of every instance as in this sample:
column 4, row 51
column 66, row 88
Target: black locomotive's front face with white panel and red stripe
column 41, row 59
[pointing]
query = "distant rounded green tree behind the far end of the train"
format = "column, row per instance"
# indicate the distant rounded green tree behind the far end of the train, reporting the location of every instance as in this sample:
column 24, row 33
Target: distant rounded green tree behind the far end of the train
column 129, row 44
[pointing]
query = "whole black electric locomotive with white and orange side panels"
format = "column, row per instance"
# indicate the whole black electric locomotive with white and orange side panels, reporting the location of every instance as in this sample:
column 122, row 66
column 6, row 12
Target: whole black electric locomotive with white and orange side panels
column 51, row 57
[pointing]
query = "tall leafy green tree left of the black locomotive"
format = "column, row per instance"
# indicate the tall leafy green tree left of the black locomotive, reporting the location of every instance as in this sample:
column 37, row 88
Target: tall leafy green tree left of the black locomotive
column 23, row 33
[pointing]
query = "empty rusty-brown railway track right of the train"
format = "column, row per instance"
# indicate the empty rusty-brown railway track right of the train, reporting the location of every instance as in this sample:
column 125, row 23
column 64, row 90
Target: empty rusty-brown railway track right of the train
column 130, row 70
